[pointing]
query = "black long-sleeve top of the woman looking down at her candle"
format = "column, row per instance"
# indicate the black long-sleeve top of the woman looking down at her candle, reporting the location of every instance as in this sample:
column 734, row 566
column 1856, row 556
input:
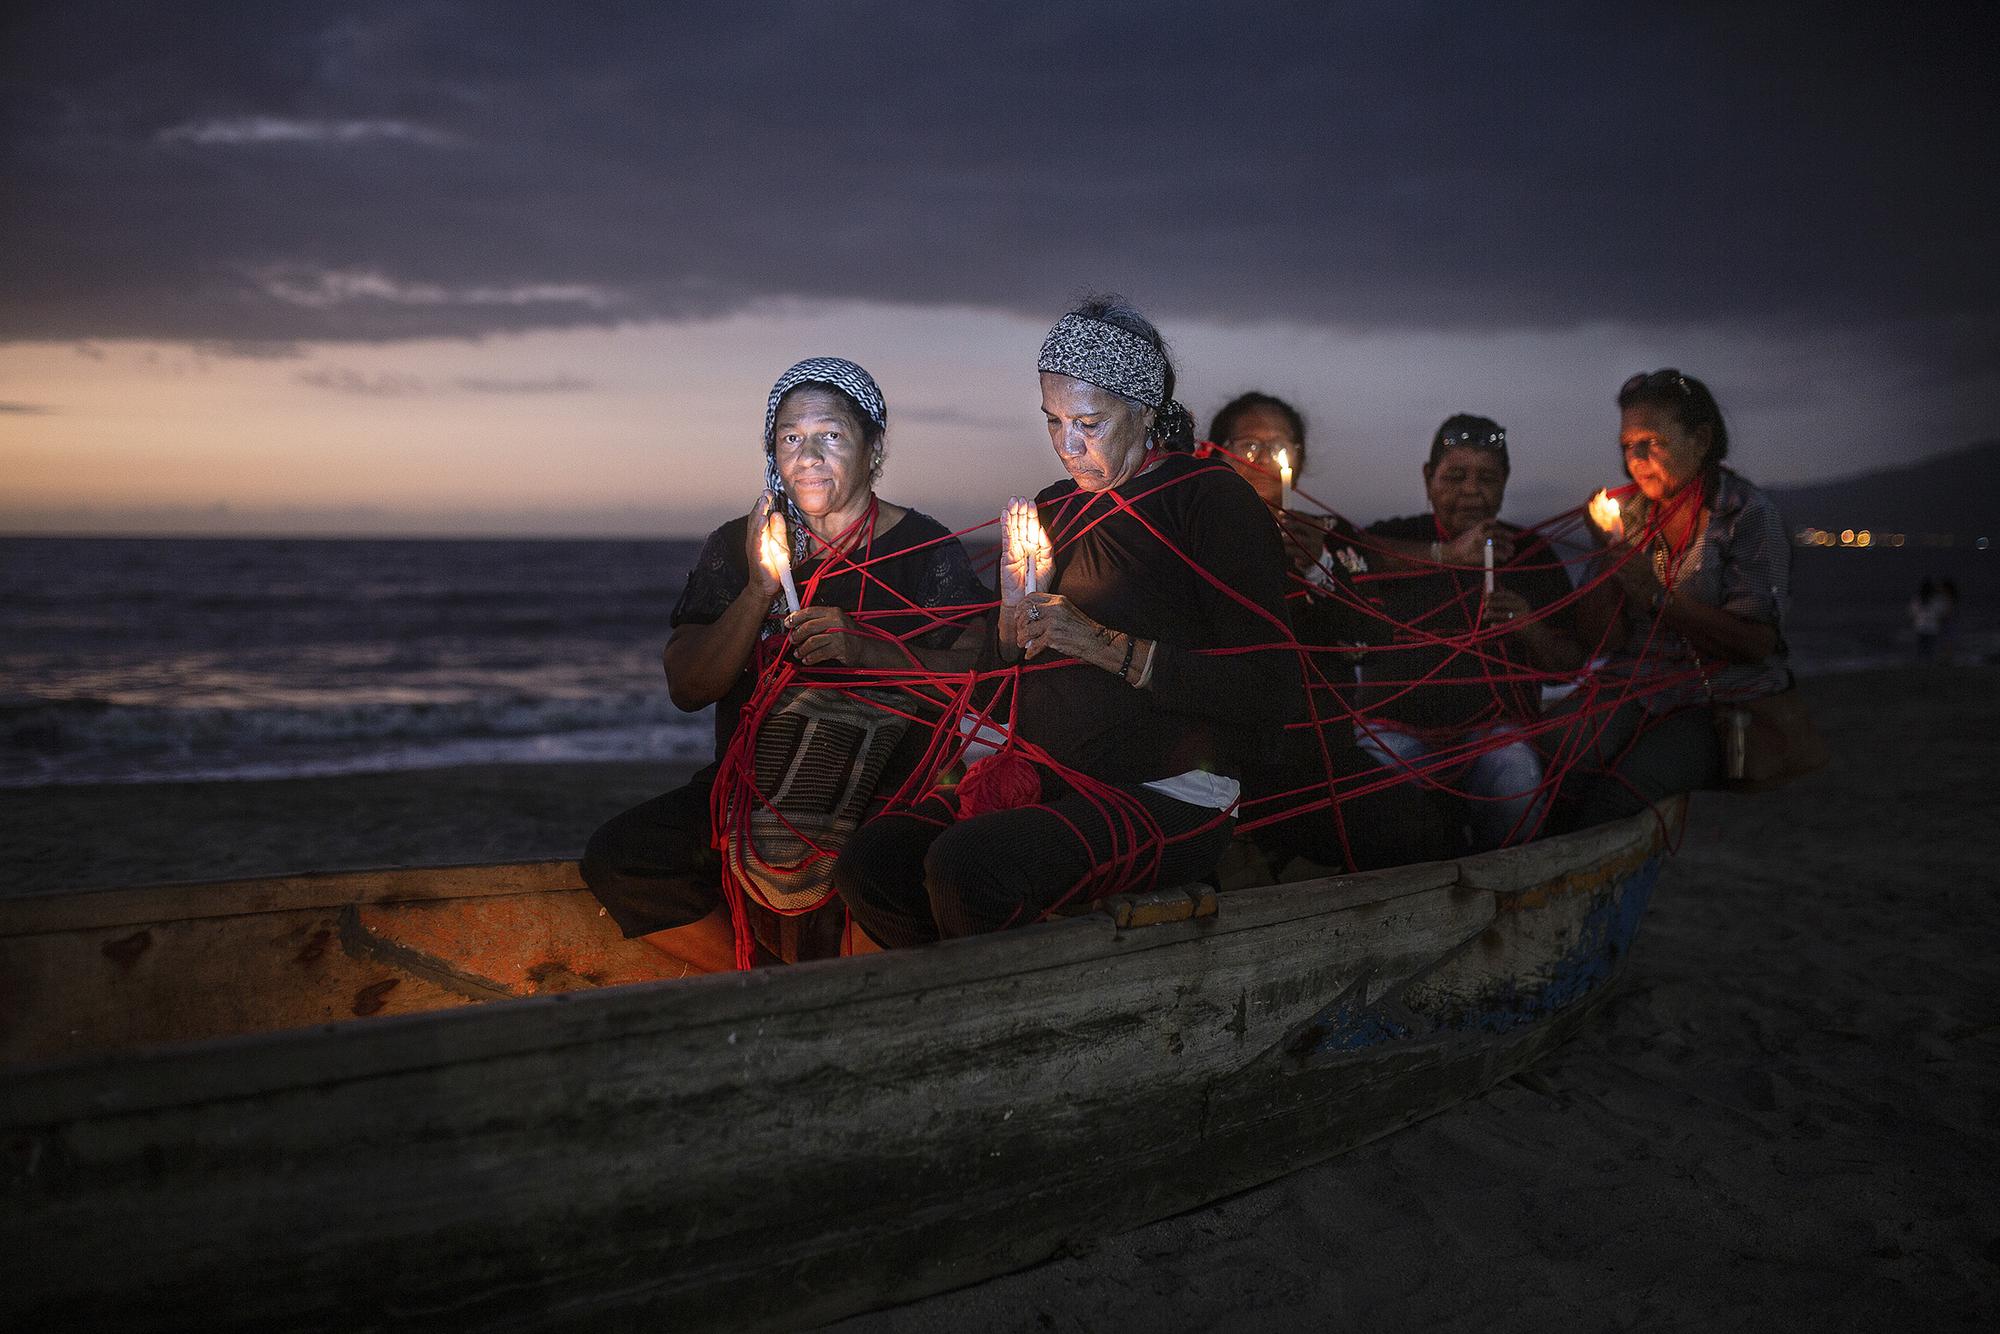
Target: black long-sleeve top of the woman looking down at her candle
column 1203, row 711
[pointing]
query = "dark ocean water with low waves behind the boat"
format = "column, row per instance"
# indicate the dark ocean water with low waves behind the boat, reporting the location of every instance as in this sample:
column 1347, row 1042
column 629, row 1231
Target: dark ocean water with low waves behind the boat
column 131, row 661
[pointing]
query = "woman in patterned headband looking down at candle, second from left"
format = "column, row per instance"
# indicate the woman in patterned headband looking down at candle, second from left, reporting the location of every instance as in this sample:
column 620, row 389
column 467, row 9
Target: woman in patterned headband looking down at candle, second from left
column 1143, row 601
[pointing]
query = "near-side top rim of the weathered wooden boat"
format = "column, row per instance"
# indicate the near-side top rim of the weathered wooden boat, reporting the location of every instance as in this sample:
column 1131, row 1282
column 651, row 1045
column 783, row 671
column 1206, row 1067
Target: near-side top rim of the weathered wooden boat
column 203, row 1071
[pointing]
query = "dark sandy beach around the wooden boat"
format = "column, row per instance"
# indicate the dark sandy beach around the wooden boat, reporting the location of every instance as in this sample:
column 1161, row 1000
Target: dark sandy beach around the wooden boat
column 1789, row 1119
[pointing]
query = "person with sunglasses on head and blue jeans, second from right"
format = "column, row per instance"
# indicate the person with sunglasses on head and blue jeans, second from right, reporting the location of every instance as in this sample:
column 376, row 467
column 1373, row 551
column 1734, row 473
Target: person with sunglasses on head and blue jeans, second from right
column 1459, row 715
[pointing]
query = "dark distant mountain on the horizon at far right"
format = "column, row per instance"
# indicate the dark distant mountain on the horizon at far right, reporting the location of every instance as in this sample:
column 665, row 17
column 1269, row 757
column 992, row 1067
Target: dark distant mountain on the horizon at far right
column 1955, row 493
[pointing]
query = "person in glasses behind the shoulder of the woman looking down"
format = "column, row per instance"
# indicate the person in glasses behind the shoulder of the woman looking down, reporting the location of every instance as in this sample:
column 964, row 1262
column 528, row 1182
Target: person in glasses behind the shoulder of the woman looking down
column 1313, row 769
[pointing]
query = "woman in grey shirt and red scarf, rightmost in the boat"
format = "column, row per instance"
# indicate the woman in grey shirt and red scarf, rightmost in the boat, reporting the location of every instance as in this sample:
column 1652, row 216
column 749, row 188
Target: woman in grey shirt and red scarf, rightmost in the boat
column 1705, row 565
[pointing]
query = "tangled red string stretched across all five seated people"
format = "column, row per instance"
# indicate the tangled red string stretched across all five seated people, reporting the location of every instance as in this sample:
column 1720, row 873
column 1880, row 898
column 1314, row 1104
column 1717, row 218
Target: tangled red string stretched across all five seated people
column 943, row 703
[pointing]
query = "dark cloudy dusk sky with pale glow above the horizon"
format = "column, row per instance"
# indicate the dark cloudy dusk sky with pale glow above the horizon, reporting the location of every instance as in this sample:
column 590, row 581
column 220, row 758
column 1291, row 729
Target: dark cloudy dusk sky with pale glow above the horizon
column 531, row 267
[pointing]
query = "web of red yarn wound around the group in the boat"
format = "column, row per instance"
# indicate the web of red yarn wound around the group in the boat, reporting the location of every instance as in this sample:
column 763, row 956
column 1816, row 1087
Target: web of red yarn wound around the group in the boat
column 1013, row 777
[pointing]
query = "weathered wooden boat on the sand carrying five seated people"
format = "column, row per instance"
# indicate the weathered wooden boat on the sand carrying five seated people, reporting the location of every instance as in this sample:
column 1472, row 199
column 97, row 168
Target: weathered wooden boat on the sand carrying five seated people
column 203, row 1133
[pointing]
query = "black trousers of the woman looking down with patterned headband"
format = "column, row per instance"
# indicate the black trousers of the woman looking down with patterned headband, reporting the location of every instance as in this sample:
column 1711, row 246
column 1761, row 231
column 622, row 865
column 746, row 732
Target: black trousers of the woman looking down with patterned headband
column 925, row 875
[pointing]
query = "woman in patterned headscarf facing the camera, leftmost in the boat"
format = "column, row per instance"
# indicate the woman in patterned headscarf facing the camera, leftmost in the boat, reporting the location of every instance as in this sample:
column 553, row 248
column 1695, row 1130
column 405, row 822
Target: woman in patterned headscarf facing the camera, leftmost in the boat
column 867, row 571
